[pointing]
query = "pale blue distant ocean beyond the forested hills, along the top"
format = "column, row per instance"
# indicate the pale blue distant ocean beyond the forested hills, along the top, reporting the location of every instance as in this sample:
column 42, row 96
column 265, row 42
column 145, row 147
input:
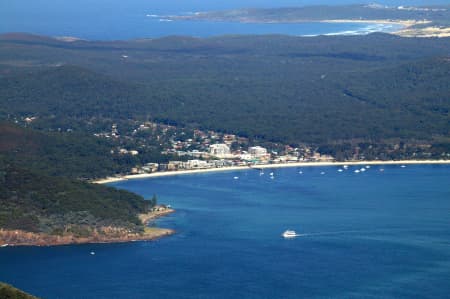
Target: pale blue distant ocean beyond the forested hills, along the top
column 114, row 19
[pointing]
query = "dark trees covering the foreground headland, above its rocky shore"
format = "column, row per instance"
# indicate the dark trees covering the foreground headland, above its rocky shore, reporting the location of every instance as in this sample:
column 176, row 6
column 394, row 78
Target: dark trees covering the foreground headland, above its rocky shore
column 37, row 203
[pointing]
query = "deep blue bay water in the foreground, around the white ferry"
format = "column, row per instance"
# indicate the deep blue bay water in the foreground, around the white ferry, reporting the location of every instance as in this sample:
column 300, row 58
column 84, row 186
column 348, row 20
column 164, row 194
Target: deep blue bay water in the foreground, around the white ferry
column 377, row 234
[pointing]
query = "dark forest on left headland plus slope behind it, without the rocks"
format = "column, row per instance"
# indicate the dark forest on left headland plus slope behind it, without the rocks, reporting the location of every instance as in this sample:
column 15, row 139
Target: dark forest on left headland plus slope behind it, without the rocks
column 40, row 192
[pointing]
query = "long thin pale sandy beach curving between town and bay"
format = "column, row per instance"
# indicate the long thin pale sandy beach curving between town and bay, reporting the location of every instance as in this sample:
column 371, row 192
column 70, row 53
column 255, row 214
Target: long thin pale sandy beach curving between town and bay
column 264, row 166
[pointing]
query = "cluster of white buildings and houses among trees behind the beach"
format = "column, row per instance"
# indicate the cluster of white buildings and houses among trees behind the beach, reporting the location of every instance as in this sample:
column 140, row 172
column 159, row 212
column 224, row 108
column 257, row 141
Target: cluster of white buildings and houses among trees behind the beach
column 192, row 149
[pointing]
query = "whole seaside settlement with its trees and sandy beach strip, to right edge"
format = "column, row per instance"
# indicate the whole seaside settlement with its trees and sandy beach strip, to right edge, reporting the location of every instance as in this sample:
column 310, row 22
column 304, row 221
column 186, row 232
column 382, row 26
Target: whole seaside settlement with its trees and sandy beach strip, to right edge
column 158, row 148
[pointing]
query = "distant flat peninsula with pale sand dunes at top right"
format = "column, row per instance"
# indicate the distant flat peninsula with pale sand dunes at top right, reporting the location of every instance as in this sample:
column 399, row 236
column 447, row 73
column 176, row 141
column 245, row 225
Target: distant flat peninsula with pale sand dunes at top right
column 431, row 21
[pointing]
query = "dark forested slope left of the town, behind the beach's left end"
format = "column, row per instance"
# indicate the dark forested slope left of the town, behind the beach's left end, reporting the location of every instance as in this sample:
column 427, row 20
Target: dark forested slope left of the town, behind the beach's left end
column 59, row 154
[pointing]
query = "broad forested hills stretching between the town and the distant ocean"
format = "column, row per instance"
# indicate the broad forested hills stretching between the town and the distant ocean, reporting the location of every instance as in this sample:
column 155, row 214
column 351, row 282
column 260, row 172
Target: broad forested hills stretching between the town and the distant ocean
column 319, row 90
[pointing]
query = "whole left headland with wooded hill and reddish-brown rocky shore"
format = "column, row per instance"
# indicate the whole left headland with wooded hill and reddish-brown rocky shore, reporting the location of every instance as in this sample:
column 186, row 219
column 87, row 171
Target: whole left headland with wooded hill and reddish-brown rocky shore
column 41, row 204
